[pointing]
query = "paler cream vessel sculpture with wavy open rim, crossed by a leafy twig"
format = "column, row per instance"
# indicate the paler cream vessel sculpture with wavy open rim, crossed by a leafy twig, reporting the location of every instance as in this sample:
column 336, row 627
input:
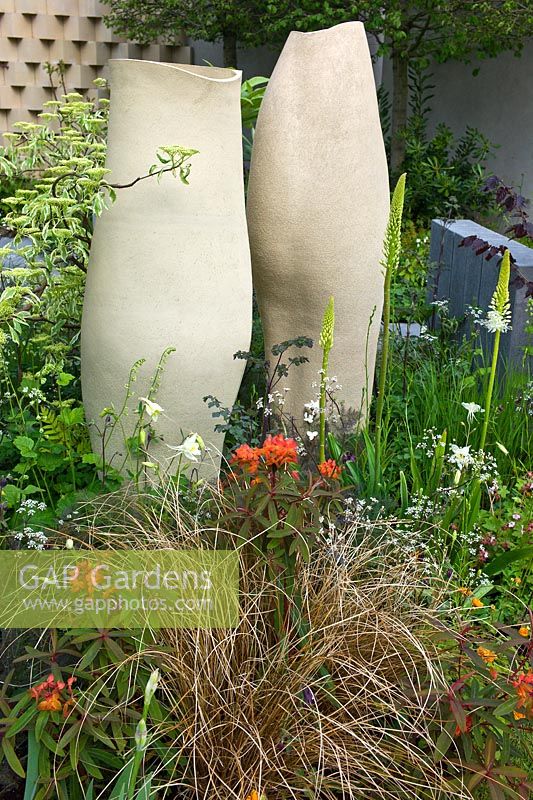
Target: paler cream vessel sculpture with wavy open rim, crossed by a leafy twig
column 169, row 264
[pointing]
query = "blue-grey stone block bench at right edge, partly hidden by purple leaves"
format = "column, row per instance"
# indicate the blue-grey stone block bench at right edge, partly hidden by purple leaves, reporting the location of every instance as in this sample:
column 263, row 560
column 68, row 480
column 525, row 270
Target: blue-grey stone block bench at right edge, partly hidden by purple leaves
column 465, row 279
